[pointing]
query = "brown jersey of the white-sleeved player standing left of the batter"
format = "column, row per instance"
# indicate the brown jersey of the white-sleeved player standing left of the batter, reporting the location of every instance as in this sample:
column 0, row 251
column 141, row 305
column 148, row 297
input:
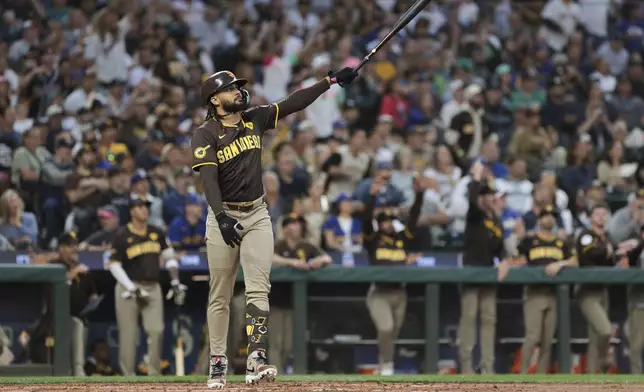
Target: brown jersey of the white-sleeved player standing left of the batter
column 139, row 252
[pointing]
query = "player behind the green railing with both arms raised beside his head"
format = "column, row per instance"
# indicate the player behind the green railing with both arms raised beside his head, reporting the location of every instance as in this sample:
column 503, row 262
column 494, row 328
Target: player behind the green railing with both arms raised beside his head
column 387, row 303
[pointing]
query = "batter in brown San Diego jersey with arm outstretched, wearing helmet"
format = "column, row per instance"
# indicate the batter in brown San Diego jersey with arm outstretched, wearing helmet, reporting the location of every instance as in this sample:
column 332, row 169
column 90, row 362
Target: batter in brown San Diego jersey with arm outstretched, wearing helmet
column 227, row 151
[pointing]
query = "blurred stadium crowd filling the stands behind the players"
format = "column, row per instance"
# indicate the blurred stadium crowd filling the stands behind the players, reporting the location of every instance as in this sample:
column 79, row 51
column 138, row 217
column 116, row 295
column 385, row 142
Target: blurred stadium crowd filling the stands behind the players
column 98, row 101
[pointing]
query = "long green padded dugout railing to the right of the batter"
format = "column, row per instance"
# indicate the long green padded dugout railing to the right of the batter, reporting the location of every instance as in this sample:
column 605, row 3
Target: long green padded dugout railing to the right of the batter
column 432, row 279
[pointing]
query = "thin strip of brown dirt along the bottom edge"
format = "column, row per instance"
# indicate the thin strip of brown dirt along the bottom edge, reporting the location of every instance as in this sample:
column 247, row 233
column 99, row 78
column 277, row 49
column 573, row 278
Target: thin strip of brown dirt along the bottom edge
column 326, row 386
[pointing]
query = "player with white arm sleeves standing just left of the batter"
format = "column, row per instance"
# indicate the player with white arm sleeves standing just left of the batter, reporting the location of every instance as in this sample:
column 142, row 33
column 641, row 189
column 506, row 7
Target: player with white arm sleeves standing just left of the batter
column 134, row 263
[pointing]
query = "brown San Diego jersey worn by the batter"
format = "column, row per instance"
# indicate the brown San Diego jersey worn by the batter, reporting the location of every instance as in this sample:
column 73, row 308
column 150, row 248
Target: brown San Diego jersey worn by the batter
column 236, row 150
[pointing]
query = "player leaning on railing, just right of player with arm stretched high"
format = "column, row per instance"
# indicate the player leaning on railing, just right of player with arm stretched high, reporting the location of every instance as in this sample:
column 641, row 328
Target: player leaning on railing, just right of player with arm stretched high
column 542, row 249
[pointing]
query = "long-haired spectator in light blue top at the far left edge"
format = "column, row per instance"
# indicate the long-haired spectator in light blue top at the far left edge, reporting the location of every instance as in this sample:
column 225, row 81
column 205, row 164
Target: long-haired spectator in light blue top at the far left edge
column 18, row 226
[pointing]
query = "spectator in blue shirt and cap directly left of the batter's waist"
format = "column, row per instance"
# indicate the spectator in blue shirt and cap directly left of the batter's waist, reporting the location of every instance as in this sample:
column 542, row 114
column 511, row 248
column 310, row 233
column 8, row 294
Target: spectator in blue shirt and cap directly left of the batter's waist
column 188, row 232
